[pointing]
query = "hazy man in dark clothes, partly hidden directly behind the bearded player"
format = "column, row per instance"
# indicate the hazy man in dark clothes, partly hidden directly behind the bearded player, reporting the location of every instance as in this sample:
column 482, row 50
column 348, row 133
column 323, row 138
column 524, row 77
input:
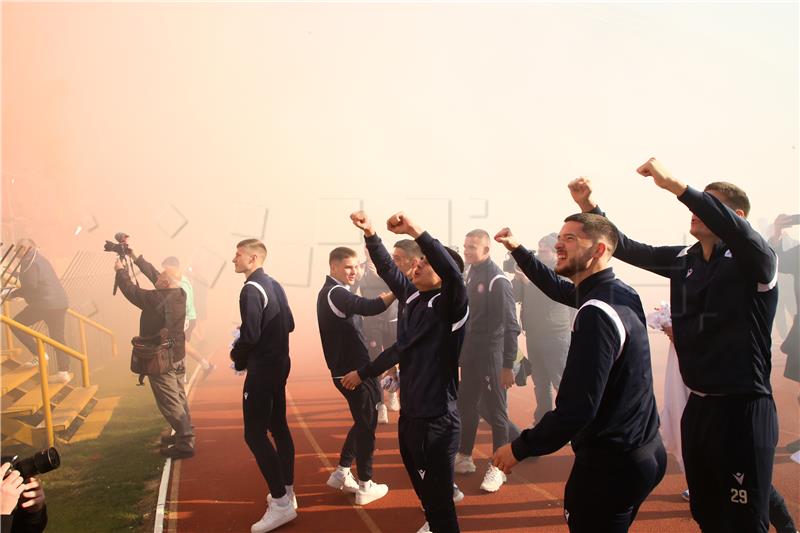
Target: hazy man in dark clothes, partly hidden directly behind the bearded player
column 547, row 328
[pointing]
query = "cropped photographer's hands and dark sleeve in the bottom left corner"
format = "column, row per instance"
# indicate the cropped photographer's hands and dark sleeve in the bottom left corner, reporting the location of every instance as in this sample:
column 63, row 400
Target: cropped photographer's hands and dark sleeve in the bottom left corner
column 30, row 516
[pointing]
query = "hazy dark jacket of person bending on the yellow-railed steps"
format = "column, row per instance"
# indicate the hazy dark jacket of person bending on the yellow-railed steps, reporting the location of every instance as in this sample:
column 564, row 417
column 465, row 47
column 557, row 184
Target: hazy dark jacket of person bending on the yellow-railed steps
column 39, row 285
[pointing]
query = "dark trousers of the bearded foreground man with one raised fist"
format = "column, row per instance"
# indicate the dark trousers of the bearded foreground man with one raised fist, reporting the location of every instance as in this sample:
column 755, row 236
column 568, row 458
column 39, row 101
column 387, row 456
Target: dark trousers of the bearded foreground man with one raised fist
column 604, row 490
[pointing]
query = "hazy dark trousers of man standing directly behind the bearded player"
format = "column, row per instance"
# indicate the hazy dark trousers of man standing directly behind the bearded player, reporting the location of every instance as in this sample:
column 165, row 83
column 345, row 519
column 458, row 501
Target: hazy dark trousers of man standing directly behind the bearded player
column 547, row 358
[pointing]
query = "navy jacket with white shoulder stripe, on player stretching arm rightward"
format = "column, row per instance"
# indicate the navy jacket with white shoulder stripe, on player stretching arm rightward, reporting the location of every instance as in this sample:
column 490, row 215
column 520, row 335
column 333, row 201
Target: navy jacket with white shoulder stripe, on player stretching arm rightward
column 339, row 314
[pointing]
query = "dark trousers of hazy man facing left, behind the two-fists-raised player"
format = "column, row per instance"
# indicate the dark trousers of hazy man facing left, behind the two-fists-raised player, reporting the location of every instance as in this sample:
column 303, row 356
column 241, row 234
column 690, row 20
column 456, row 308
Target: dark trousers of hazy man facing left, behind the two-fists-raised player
column 481, row 394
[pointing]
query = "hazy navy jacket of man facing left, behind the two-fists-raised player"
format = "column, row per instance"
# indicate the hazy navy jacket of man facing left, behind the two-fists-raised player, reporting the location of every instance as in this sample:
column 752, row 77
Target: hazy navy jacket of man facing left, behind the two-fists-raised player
column 491, row 337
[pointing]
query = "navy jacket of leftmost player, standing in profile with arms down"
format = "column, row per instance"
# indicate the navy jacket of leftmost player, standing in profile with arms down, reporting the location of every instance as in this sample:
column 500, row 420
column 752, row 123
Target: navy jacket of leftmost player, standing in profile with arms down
column 267, row 320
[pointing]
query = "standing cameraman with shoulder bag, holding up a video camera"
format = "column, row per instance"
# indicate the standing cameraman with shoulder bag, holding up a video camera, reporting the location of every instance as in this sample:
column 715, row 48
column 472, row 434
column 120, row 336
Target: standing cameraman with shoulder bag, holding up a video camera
column 163, row 316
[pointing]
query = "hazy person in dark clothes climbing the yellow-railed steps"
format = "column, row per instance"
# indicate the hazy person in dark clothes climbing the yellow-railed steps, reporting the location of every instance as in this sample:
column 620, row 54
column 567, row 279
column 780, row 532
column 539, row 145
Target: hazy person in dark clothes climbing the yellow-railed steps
column 46, row 299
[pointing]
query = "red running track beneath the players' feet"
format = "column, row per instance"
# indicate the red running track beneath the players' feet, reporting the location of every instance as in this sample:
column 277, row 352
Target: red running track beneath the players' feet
column 221, row 489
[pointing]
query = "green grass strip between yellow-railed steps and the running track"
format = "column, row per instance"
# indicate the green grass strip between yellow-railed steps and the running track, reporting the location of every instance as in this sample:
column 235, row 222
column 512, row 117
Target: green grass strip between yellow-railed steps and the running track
column 110, row 483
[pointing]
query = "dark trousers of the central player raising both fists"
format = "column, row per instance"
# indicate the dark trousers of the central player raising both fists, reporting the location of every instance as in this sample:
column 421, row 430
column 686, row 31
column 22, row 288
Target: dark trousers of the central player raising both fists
column 428, row 448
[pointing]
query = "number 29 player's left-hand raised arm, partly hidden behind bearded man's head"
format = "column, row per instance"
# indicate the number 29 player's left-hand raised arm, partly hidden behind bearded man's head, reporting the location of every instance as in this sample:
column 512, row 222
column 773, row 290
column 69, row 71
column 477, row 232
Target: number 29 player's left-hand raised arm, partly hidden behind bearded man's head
column 656, row 259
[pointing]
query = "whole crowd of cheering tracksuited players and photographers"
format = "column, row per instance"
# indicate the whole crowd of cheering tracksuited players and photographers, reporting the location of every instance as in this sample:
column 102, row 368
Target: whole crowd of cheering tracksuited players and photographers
column 444, row 329
